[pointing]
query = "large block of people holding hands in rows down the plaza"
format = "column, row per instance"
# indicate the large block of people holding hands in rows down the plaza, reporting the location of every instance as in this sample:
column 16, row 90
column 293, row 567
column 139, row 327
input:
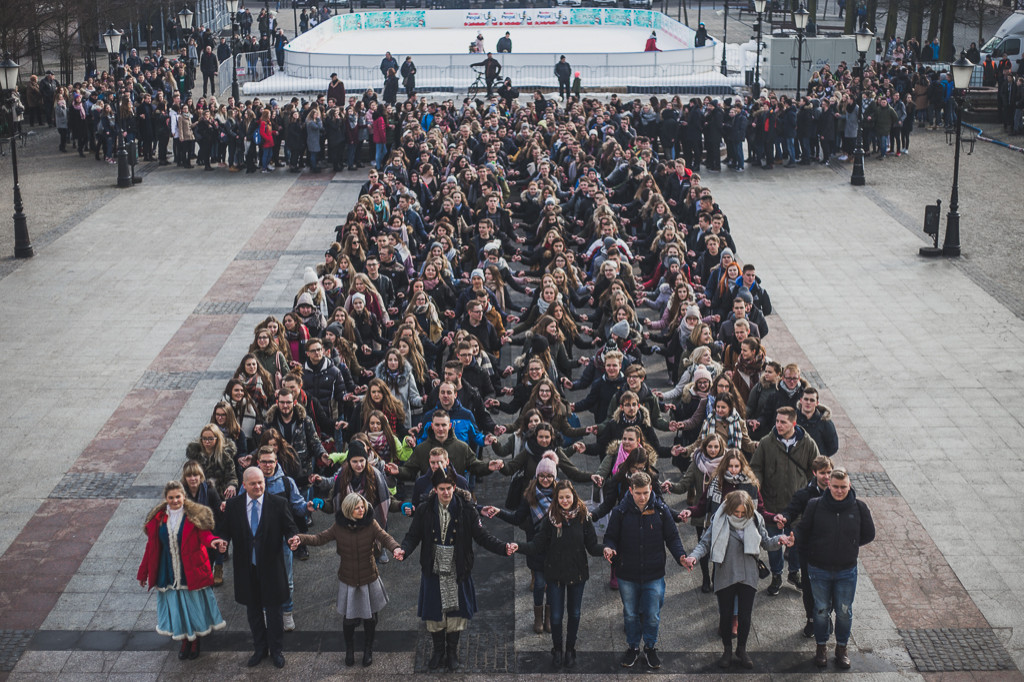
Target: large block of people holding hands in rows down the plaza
column 499, row 300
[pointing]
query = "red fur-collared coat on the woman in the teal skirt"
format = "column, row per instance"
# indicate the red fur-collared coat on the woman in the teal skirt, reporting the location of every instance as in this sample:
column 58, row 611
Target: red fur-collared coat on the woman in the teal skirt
column 196, row 537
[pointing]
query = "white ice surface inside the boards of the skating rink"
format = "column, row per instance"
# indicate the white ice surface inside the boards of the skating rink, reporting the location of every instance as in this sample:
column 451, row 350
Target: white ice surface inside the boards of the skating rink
column 526, row 39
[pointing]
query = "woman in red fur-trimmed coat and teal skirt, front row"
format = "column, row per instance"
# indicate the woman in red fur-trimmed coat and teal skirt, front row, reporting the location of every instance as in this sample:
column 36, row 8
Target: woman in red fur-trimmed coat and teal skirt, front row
column 179, row 531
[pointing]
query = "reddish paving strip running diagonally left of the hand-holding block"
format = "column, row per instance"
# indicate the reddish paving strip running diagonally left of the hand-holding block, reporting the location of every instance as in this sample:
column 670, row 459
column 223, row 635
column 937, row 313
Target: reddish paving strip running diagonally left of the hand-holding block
column 32, row 576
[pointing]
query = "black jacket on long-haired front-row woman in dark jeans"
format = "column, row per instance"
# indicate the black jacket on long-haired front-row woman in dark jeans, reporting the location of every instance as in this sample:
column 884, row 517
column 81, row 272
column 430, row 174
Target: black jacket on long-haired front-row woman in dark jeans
column 565, row 550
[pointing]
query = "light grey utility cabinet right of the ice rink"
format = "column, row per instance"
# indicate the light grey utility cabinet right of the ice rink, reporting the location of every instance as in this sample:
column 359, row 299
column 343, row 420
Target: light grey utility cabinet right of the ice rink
column 781, row 55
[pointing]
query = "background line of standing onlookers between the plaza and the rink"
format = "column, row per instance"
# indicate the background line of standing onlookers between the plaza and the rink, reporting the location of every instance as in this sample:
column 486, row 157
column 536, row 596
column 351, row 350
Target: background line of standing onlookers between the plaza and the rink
column 151, row 102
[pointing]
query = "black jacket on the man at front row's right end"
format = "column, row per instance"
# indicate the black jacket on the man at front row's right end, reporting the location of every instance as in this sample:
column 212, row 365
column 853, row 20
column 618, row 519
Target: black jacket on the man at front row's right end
column 831, row 534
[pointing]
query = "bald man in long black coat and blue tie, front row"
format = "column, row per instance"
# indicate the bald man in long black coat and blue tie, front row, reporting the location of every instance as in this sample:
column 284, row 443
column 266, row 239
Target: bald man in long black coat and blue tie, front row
column 259, row 525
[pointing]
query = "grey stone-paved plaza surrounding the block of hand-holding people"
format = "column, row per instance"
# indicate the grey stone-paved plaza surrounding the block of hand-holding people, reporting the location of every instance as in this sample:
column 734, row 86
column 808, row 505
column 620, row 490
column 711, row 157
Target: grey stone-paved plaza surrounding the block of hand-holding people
column 122, row 332
